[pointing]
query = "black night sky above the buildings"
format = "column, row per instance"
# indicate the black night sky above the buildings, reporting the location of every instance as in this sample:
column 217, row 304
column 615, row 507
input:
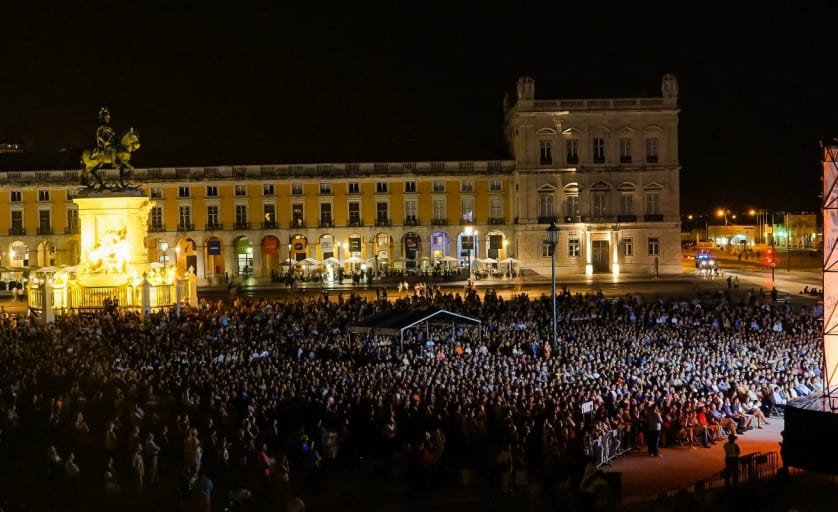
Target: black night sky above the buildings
column 265, row 84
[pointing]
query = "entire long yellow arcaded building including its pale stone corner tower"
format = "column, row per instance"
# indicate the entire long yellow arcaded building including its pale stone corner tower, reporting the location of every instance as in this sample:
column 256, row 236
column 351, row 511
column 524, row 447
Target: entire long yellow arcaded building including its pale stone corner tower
column 605, row 170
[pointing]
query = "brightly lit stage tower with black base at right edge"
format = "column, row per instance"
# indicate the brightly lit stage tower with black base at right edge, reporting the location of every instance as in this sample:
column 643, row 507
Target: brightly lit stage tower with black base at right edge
column 811, row 421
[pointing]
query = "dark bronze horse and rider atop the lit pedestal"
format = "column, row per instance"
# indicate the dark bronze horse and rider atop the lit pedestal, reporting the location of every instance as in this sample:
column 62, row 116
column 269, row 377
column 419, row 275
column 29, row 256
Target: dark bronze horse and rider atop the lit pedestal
column 110, row 150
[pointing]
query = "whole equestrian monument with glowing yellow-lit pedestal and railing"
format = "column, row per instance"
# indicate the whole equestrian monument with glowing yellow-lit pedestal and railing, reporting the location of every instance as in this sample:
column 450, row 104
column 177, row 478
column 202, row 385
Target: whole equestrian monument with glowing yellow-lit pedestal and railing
column 113, row 222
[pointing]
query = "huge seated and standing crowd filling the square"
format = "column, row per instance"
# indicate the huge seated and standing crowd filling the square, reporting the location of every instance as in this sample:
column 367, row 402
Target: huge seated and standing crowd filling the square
column 255, row 402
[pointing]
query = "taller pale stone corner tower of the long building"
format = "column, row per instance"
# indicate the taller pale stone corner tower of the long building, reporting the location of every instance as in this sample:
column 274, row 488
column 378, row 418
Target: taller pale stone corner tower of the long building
column 606, row 171
